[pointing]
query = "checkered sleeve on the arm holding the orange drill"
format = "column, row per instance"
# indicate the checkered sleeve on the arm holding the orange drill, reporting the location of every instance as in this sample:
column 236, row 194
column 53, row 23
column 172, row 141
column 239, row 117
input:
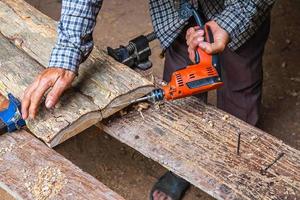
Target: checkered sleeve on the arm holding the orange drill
column 239, row 17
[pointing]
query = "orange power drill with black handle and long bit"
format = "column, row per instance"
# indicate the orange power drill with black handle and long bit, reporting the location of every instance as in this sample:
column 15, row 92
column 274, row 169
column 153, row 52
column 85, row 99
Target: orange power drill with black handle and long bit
column 193, row 79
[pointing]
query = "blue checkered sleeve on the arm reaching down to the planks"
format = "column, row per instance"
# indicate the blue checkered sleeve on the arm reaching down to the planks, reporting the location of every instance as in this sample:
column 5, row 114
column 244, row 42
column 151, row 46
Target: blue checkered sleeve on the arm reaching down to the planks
column 75, row 28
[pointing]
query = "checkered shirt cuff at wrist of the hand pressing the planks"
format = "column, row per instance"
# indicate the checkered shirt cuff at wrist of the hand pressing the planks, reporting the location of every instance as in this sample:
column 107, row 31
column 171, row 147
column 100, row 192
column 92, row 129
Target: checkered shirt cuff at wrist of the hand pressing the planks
column 65, row 57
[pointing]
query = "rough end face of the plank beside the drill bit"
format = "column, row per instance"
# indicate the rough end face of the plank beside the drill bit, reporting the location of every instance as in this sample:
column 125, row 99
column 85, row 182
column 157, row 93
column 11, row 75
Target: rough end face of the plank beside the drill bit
column 132, row 95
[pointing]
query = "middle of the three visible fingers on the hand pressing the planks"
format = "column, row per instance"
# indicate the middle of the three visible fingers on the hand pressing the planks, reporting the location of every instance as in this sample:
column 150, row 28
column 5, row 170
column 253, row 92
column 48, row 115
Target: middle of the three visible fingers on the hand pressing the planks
column 37, row 96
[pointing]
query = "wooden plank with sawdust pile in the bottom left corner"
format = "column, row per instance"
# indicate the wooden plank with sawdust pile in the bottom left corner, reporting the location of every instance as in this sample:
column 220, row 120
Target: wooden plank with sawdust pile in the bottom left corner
column 31, row 170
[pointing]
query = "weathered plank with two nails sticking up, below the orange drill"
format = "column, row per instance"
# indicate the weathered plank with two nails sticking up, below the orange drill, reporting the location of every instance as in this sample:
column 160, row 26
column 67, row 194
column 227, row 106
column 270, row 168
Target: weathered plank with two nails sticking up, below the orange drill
column 198, row 142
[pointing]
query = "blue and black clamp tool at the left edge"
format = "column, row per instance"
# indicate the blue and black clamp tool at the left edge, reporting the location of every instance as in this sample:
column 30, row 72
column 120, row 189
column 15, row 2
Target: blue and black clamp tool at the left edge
column 11, row 118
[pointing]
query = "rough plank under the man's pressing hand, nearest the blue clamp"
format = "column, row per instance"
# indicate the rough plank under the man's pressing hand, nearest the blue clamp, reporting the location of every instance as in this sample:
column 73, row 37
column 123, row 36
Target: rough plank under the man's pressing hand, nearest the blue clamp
column 74, row 113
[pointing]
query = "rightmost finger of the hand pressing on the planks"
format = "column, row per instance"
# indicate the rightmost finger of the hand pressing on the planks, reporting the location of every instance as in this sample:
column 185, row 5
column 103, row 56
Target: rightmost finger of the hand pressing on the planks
column 53, row 96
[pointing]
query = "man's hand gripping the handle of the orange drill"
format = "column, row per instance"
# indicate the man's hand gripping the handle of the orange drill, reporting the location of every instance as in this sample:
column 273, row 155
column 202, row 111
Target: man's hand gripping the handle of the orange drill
column 195, row 39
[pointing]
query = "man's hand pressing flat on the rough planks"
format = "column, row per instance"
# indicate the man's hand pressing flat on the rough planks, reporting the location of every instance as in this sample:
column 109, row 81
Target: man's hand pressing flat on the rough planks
column 55, row 78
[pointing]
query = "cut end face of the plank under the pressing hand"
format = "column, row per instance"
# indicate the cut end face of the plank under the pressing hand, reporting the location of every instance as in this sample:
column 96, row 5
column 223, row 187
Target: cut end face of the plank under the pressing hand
column 84, row 122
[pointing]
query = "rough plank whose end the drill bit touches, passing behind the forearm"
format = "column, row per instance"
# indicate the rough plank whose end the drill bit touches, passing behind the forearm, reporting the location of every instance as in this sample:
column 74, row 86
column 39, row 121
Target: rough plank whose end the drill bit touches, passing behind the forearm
column 102, row 79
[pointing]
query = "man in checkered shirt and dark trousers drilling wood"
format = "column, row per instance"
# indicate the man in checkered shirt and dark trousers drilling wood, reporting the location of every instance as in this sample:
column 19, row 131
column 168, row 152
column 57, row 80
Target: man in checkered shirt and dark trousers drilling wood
column 240, row 30
